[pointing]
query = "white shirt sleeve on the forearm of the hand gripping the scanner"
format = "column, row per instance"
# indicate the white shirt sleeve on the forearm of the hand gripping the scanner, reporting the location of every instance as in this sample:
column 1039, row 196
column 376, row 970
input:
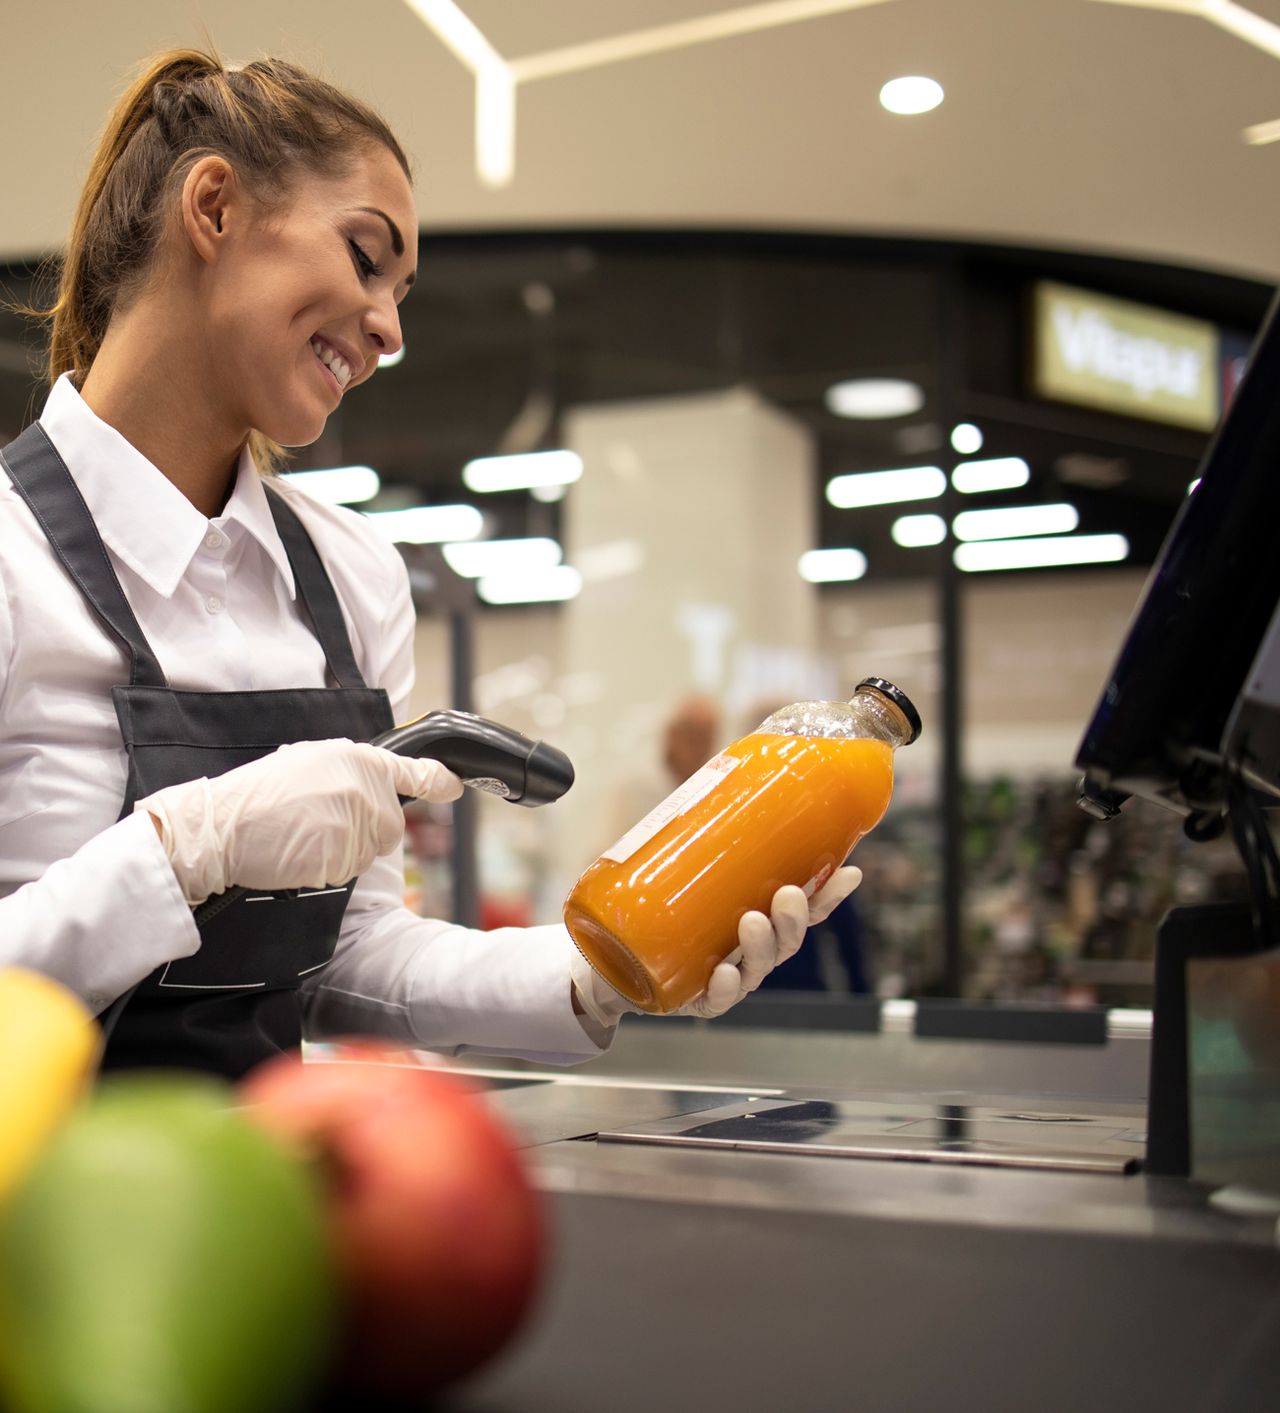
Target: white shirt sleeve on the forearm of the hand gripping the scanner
column 101, row 919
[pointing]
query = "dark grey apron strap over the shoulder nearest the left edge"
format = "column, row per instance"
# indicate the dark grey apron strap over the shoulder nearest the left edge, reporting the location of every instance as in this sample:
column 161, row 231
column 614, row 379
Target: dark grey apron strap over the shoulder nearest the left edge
column 42, row 478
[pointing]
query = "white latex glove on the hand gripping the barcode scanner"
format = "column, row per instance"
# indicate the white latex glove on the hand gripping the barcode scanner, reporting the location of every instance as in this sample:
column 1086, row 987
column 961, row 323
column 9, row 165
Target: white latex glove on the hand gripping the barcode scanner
column 313, row 815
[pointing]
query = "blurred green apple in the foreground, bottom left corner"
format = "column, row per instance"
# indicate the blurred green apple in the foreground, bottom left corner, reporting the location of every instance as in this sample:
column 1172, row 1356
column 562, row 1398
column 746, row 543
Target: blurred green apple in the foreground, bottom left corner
column 165, row 1255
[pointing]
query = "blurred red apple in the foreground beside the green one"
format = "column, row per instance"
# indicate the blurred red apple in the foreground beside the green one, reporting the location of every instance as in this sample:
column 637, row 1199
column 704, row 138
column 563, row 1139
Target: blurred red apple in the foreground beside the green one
column 437, row 1229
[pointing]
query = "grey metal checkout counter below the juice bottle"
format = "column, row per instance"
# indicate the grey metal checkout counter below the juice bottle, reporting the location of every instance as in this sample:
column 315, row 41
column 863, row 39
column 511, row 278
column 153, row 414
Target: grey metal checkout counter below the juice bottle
column 689, row 1277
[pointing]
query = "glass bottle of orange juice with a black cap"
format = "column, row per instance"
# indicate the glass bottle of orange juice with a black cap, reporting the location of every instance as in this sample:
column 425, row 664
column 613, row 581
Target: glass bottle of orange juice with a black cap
column 660, row 909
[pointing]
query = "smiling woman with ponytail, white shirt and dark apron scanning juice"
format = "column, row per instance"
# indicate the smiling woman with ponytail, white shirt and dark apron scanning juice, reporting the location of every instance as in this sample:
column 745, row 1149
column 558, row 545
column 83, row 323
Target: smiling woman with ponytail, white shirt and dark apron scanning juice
column 194, row 656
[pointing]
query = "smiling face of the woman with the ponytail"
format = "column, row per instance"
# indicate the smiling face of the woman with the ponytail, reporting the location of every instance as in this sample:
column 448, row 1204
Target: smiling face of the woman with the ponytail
column 303, row 302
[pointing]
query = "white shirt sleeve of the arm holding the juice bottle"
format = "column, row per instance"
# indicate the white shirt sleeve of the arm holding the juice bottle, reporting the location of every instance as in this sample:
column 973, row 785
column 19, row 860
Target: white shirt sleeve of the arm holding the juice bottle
column 429, row 983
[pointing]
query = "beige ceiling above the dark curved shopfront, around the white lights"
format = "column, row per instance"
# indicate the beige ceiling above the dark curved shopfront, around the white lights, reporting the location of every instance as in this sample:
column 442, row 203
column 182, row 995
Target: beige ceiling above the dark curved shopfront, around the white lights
column 1094, row 125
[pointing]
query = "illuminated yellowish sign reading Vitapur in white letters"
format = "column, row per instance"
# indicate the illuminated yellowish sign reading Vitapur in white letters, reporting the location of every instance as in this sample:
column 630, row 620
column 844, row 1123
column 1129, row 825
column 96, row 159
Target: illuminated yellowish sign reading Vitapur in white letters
column 1125, row 358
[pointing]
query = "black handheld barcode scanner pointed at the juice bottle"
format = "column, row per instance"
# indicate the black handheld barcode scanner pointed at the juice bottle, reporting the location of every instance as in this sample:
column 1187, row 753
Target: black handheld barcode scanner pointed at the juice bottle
column 485, row 757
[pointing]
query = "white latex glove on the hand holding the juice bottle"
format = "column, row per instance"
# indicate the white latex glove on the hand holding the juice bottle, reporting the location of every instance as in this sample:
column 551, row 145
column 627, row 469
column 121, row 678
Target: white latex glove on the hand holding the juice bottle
column 764, row 943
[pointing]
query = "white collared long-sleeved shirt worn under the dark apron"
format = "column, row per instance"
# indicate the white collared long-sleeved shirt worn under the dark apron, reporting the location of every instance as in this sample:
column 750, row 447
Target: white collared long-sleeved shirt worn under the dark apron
column 94, row 902
